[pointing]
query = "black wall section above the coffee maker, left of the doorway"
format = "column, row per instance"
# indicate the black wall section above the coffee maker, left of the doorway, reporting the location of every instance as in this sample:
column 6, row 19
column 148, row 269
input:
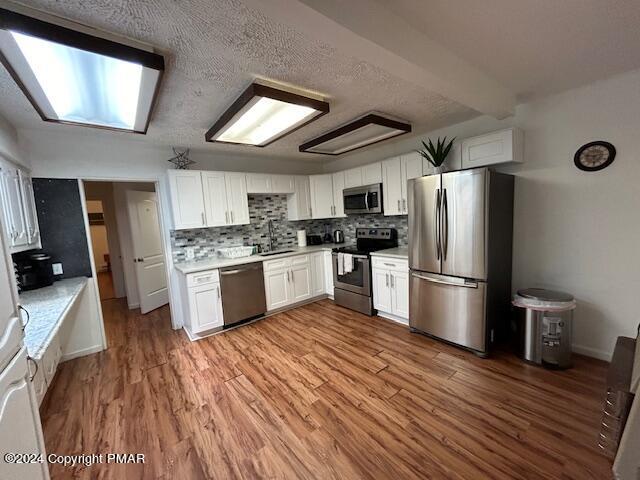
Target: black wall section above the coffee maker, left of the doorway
column 62, row 226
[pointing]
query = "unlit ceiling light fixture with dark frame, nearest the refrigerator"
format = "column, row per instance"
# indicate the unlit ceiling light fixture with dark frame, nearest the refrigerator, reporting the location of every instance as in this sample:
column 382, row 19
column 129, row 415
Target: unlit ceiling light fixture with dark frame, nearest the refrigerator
column 367, row 130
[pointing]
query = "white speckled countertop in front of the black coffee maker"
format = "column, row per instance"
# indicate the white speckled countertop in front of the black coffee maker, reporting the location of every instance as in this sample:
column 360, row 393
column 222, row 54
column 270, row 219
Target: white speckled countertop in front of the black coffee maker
column 47, row 306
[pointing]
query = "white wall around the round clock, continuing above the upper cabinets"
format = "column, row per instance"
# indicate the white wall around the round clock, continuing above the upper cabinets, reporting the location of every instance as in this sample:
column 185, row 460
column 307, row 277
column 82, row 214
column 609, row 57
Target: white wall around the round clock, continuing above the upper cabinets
column 573, row 231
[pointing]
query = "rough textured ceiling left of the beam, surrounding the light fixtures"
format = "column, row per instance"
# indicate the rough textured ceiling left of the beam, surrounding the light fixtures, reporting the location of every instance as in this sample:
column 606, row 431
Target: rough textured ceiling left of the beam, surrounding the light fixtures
column 213, row 50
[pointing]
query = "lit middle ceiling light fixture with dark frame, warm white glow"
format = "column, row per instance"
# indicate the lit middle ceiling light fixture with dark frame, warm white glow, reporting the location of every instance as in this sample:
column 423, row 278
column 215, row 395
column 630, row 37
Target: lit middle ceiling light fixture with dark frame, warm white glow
column 261, row 115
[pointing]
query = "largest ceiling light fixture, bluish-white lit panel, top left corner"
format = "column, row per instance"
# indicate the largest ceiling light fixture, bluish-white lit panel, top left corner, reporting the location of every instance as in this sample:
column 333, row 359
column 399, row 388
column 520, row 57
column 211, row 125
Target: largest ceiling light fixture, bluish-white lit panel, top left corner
column 76, row 78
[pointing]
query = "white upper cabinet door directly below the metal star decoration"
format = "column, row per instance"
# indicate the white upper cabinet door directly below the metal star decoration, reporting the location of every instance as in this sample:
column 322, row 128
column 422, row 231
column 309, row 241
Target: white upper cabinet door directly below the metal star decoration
column 187, row 201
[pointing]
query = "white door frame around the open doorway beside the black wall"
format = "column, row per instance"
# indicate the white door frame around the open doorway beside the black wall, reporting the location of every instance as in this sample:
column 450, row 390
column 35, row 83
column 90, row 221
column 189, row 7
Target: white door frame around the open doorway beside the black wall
column 165, row 213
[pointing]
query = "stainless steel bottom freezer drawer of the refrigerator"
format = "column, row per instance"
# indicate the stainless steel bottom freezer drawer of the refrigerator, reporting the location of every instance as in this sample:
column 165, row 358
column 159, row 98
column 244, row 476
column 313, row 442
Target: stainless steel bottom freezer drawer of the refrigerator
column 449, row 308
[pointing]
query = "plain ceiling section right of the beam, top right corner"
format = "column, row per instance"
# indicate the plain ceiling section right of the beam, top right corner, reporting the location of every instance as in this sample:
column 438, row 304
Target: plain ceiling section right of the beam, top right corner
column 534, row 48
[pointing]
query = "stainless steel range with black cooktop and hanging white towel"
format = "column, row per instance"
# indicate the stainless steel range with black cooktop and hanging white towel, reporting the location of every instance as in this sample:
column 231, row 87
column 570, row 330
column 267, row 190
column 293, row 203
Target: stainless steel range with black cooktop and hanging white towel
column 352, row 268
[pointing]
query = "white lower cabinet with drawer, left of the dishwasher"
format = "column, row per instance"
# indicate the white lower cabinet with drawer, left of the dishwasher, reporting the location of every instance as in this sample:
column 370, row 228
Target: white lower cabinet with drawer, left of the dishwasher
column 202, row 301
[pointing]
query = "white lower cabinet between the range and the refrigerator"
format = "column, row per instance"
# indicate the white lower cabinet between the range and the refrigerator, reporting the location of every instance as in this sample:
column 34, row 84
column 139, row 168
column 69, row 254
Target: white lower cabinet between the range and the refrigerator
column 391, row 287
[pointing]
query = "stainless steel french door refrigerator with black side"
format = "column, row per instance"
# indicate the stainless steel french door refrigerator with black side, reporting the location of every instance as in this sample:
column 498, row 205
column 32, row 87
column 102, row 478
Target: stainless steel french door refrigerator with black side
column 460, row 242
